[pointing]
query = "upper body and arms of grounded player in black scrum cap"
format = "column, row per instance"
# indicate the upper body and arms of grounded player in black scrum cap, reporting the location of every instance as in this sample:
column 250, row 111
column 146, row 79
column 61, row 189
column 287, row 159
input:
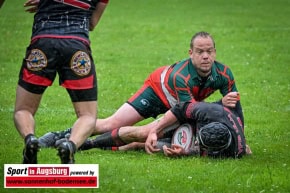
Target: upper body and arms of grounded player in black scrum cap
column 219, row 130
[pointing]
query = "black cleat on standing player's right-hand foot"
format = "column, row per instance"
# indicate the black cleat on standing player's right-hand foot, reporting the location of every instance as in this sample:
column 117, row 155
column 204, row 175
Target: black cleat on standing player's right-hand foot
column 66, row 151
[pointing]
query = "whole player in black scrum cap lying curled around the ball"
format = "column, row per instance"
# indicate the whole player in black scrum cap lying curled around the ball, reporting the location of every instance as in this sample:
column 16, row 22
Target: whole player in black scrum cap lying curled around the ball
column 218, row 131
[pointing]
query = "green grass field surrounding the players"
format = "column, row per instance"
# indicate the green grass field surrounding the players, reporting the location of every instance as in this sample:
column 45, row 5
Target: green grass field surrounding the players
column 133, row 38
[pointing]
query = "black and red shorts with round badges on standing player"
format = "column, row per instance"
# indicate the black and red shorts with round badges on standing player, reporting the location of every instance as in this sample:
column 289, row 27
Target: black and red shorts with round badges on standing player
column 71, row 59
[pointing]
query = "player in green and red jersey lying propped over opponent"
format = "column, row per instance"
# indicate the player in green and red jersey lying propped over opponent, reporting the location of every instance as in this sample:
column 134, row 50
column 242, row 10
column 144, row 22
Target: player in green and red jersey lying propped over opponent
column 193, row 79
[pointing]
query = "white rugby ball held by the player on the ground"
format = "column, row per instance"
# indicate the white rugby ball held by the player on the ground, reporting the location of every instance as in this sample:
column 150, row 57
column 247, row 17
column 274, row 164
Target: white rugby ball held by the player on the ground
column 183, row 136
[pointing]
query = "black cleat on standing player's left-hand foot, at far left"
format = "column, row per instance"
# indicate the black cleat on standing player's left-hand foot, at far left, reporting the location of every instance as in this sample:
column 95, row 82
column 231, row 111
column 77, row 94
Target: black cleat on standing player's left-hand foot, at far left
column 30, row 150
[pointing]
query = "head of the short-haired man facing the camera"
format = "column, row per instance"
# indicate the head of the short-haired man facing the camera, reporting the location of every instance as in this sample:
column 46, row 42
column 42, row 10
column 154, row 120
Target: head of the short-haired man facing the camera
column 203, row 55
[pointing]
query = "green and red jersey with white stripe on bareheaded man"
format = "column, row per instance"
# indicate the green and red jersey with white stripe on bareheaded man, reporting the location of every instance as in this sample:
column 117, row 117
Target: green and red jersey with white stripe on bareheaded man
column 181, row 83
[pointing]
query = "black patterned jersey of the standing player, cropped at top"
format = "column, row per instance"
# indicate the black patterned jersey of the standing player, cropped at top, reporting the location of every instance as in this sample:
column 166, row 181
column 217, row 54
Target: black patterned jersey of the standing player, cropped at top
column 63, row 18
